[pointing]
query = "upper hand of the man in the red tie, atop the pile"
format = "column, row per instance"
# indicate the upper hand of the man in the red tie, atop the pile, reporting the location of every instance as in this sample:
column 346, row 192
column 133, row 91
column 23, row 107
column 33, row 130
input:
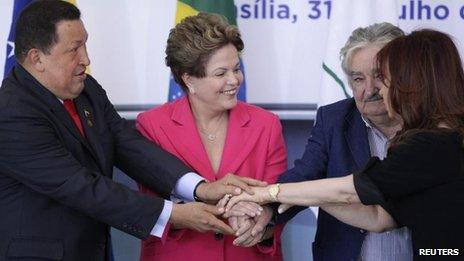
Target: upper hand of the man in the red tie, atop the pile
column 229, row 184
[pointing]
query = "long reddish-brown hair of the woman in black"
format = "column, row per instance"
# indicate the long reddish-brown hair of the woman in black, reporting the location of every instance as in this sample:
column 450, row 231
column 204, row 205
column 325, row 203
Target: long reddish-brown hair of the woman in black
column 425, row 81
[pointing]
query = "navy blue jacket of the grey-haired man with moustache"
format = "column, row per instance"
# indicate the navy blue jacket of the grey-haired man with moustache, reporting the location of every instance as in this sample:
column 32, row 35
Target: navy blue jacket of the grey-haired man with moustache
column 338, row 146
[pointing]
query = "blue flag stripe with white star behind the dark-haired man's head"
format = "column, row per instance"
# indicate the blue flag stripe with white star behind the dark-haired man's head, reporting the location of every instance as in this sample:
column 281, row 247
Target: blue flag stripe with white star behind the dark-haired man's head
column 10, row 59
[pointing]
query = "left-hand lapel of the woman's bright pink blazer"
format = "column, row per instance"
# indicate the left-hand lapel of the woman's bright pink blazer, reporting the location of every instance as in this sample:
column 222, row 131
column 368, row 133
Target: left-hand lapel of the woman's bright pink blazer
column 183, row 135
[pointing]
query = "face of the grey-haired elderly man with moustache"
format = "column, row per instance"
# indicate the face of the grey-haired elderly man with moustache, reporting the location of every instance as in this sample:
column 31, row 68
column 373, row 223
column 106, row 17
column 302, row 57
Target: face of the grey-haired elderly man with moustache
column 366, row 82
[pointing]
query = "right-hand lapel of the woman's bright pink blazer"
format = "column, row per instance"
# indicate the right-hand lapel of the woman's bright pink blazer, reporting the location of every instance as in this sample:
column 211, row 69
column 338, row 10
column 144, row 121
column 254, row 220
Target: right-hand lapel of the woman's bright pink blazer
column 240, row 141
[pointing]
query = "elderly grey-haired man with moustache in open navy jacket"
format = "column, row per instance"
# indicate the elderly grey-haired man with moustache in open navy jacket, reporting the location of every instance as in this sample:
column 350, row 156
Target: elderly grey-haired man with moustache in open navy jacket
column 345, row 135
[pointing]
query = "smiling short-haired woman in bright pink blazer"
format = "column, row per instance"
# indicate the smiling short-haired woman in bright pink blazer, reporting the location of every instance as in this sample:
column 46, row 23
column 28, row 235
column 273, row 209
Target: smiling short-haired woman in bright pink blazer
column 214, row 134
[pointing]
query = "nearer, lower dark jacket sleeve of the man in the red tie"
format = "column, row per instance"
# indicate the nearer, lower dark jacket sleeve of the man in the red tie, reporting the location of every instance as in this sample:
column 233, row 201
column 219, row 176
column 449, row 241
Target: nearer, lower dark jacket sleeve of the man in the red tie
column 32, row 153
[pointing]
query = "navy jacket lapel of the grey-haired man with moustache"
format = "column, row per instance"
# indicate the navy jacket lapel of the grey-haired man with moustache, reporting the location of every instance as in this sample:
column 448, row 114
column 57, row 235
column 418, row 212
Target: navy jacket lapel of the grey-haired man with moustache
column 356, row 138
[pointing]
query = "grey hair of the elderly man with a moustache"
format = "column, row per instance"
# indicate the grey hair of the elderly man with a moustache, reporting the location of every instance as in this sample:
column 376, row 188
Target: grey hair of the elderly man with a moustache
column 380, row 33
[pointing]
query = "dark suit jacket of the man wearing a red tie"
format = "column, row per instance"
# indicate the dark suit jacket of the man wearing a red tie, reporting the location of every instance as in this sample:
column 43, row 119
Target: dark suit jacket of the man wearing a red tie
column 56, row 192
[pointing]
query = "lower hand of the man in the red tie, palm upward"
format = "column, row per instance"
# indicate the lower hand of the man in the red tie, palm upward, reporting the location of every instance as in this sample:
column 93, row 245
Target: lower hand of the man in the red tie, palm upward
column 200, row 217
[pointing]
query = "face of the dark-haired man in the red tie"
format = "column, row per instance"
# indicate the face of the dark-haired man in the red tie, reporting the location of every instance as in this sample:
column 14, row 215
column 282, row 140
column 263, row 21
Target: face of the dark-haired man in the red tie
column 62, row 70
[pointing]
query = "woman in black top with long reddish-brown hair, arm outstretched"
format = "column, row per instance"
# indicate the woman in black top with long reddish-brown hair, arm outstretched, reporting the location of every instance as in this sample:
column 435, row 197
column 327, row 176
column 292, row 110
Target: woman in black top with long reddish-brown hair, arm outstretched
column 420, row 184
